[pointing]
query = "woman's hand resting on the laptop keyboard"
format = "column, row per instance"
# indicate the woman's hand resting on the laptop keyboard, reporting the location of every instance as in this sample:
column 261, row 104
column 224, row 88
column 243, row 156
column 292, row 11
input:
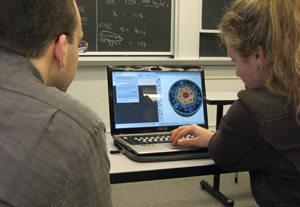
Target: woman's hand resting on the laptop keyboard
column 201, row 136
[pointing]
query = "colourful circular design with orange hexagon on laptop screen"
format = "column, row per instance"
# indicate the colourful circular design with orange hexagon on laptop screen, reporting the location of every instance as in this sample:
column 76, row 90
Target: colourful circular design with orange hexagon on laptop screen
column 185, row 97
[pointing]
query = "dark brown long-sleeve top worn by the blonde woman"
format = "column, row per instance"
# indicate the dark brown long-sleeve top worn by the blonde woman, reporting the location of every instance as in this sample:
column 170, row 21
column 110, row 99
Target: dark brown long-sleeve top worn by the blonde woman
column 259, row 134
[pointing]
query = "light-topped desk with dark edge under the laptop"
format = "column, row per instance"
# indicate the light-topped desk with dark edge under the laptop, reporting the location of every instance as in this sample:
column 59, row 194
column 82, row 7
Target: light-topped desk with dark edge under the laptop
column 125, row 170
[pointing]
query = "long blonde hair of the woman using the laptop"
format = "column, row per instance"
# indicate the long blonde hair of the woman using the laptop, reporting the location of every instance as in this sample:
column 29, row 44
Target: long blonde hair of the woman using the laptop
column 275, row 26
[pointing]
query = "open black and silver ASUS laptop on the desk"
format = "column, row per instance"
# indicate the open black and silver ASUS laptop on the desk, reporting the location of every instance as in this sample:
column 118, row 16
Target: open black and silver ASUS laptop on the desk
column 151, row 101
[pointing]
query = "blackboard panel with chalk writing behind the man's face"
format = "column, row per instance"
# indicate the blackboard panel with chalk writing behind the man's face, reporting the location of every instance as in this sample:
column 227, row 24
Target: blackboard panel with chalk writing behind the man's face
column 127, row 25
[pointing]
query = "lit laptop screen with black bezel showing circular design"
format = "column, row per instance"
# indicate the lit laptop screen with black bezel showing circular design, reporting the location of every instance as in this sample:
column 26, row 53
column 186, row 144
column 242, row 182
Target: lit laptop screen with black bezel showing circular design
column 156, row 98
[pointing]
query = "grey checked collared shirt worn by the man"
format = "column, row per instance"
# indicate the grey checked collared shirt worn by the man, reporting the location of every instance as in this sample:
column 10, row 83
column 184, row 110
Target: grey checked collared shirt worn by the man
column 52, row 148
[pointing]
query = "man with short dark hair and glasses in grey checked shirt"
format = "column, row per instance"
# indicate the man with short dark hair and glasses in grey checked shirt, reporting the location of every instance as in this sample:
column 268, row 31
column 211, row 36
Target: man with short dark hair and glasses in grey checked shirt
column 52, row 148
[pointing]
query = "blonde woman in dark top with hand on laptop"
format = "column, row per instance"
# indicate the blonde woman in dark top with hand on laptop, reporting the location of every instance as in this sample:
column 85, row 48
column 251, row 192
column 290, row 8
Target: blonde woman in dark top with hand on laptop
column 261, row 131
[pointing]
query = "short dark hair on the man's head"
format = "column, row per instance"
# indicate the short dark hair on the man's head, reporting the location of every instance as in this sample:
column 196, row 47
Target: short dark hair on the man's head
column 27, row 27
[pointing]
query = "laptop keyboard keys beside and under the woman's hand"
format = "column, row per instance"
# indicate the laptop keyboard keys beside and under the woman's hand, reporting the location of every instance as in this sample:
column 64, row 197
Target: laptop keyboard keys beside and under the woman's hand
column 146, row 139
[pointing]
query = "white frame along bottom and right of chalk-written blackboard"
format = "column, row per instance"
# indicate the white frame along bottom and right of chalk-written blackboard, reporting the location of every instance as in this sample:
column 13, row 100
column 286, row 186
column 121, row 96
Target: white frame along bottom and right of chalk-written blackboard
column 174, row 6
